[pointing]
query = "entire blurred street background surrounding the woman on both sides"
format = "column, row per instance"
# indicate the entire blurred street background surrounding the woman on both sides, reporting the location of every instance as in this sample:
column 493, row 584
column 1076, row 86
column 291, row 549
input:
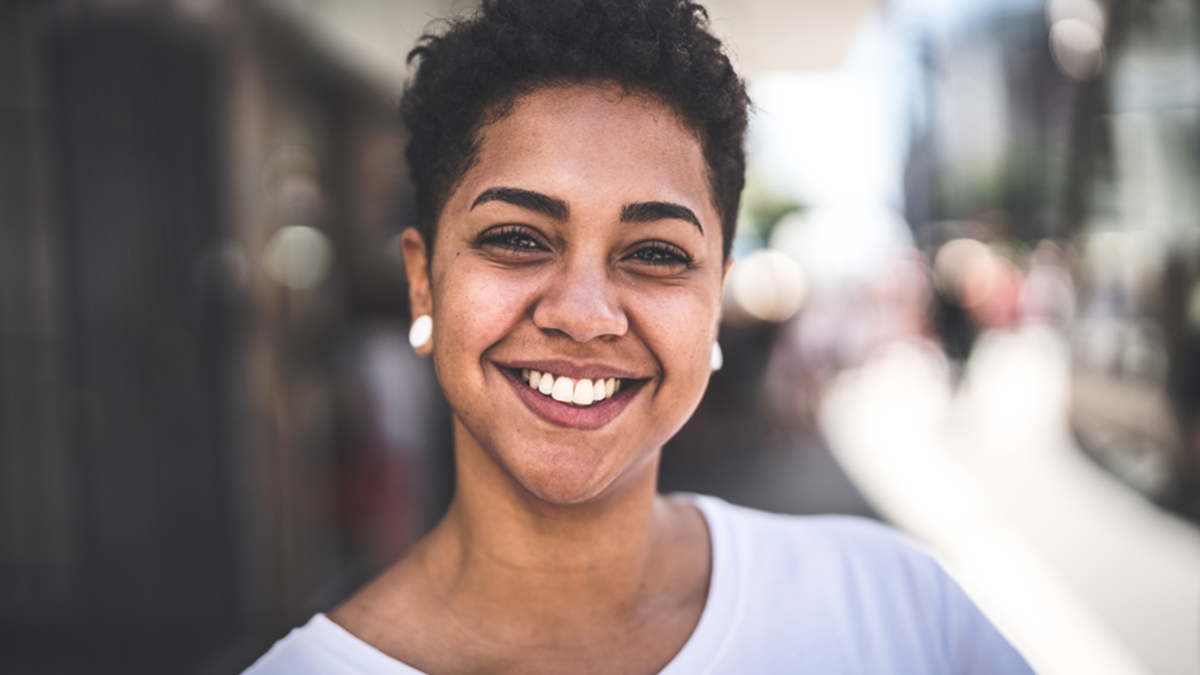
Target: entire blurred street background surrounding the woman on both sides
column 967, row 302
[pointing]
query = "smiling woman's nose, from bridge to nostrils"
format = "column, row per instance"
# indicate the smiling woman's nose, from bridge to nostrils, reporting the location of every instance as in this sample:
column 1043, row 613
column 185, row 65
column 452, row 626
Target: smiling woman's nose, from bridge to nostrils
column 581, row 302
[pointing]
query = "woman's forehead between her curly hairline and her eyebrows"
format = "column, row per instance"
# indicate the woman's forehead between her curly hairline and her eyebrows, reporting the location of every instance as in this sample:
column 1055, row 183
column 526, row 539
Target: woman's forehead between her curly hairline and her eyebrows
column 592, row 140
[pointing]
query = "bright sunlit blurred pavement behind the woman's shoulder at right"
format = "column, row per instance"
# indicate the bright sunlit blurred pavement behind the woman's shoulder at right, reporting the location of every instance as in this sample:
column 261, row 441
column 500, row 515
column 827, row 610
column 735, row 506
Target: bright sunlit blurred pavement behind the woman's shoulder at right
column 1084, row 575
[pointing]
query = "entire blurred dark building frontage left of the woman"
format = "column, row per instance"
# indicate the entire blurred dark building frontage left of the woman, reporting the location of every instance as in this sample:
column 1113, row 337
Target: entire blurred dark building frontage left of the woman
column 197, row 300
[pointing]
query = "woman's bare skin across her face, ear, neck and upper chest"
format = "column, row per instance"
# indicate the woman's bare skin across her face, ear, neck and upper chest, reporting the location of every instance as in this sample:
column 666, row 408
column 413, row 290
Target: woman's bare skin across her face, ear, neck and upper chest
column 557, row 555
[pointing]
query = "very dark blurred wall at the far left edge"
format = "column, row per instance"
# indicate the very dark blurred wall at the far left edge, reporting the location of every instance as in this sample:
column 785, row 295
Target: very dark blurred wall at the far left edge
column 119, row 534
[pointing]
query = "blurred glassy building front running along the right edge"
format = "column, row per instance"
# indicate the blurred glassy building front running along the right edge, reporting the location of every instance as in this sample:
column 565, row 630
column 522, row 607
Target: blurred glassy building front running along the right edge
column 1132, row 198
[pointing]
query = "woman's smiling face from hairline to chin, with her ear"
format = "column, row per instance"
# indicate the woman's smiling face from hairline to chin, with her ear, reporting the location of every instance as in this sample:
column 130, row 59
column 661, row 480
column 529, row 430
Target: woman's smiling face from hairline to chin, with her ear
column 585, row 244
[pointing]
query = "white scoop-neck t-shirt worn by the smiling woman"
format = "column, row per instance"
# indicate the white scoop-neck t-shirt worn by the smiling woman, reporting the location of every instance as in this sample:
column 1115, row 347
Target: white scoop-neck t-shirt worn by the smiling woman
column 821, row 595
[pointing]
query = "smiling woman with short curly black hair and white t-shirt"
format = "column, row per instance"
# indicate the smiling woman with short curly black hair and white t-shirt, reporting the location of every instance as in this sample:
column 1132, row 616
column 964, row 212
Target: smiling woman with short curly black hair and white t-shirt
column 578, row 168
